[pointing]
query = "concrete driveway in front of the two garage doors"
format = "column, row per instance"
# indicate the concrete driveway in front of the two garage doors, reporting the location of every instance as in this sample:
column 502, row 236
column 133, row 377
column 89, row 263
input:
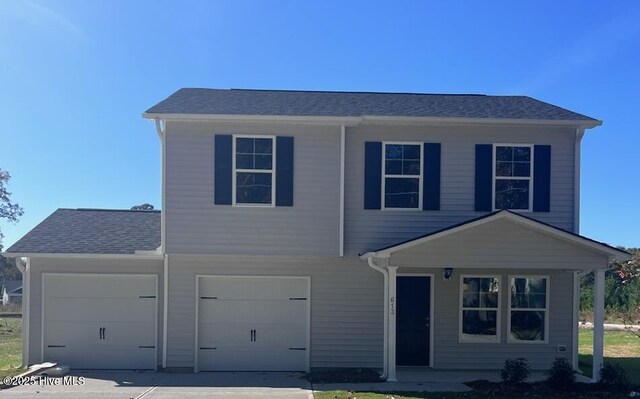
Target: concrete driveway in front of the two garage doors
column 151, row 385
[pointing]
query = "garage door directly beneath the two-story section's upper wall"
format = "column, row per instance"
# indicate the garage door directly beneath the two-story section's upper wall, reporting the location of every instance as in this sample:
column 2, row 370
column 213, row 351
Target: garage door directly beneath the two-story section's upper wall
column 253, row 323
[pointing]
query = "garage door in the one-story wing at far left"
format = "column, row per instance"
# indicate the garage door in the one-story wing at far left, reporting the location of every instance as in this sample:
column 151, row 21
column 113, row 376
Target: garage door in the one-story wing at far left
column 100, row 321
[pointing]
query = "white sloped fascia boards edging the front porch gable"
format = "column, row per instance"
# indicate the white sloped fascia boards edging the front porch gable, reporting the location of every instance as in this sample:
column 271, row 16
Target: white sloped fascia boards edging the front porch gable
column 532, row 224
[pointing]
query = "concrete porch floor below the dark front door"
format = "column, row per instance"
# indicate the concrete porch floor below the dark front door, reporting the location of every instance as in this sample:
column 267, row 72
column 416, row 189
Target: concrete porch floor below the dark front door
column 428, row 375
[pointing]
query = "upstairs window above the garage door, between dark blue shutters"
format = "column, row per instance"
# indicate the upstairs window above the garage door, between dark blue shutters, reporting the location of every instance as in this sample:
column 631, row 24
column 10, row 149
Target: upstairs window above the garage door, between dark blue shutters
column 253, row 170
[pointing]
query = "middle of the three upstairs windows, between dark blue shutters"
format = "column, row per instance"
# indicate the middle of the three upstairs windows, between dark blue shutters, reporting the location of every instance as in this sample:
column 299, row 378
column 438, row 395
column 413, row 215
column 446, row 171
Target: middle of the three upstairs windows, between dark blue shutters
column 402, row 176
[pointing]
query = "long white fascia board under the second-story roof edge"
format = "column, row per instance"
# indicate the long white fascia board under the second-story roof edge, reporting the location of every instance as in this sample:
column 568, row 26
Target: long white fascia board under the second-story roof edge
column 368, row 119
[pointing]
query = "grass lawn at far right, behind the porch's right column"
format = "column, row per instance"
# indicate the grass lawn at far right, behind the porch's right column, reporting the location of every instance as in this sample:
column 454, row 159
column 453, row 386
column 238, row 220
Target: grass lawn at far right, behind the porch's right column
column 620, row 347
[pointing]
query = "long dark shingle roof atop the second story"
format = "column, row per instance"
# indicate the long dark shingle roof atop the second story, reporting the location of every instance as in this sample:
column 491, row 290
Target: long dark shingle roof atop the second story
column 355, row 104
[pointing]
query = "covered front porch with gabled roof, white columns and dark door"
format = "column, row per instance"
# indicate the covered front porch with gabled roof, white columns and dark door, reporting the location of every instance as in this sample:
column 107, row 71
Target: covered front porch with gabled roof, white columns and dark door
column 460, row 301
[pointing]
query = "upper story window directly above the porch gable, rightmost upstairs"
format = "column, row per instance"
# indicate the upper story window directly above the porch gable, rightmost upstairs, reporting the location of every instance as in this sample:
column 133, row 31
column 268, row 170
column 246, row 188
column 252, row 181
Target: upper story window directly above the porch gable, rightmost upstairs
column 513, row 177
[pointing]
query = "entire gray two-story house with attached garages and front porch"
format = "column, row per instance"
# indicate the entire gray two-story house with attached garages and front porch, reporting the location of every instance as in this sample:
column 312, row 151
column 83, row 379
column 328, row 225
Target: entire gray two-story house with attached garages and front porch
column 308, row 230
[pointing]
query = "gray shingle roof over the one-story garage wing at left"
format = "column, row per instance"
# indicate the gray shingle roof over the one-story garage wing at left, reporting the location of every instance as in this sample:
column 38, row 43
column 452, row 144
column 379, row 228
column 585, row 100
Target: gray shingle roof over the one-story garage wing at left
column 93, row 231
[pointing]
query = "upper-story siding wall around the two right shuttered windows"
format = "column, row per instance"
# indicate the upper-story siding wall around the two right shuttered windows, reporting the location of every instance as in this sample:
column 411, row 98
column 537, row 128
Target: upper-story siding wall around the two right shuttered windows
column 366, row 230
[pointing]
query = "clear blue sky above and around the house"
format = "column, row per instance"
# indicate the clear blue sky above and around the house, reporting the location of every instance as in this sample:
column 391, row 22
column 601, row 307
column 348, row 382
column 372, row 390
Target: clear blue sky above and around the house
column 76, row 76
